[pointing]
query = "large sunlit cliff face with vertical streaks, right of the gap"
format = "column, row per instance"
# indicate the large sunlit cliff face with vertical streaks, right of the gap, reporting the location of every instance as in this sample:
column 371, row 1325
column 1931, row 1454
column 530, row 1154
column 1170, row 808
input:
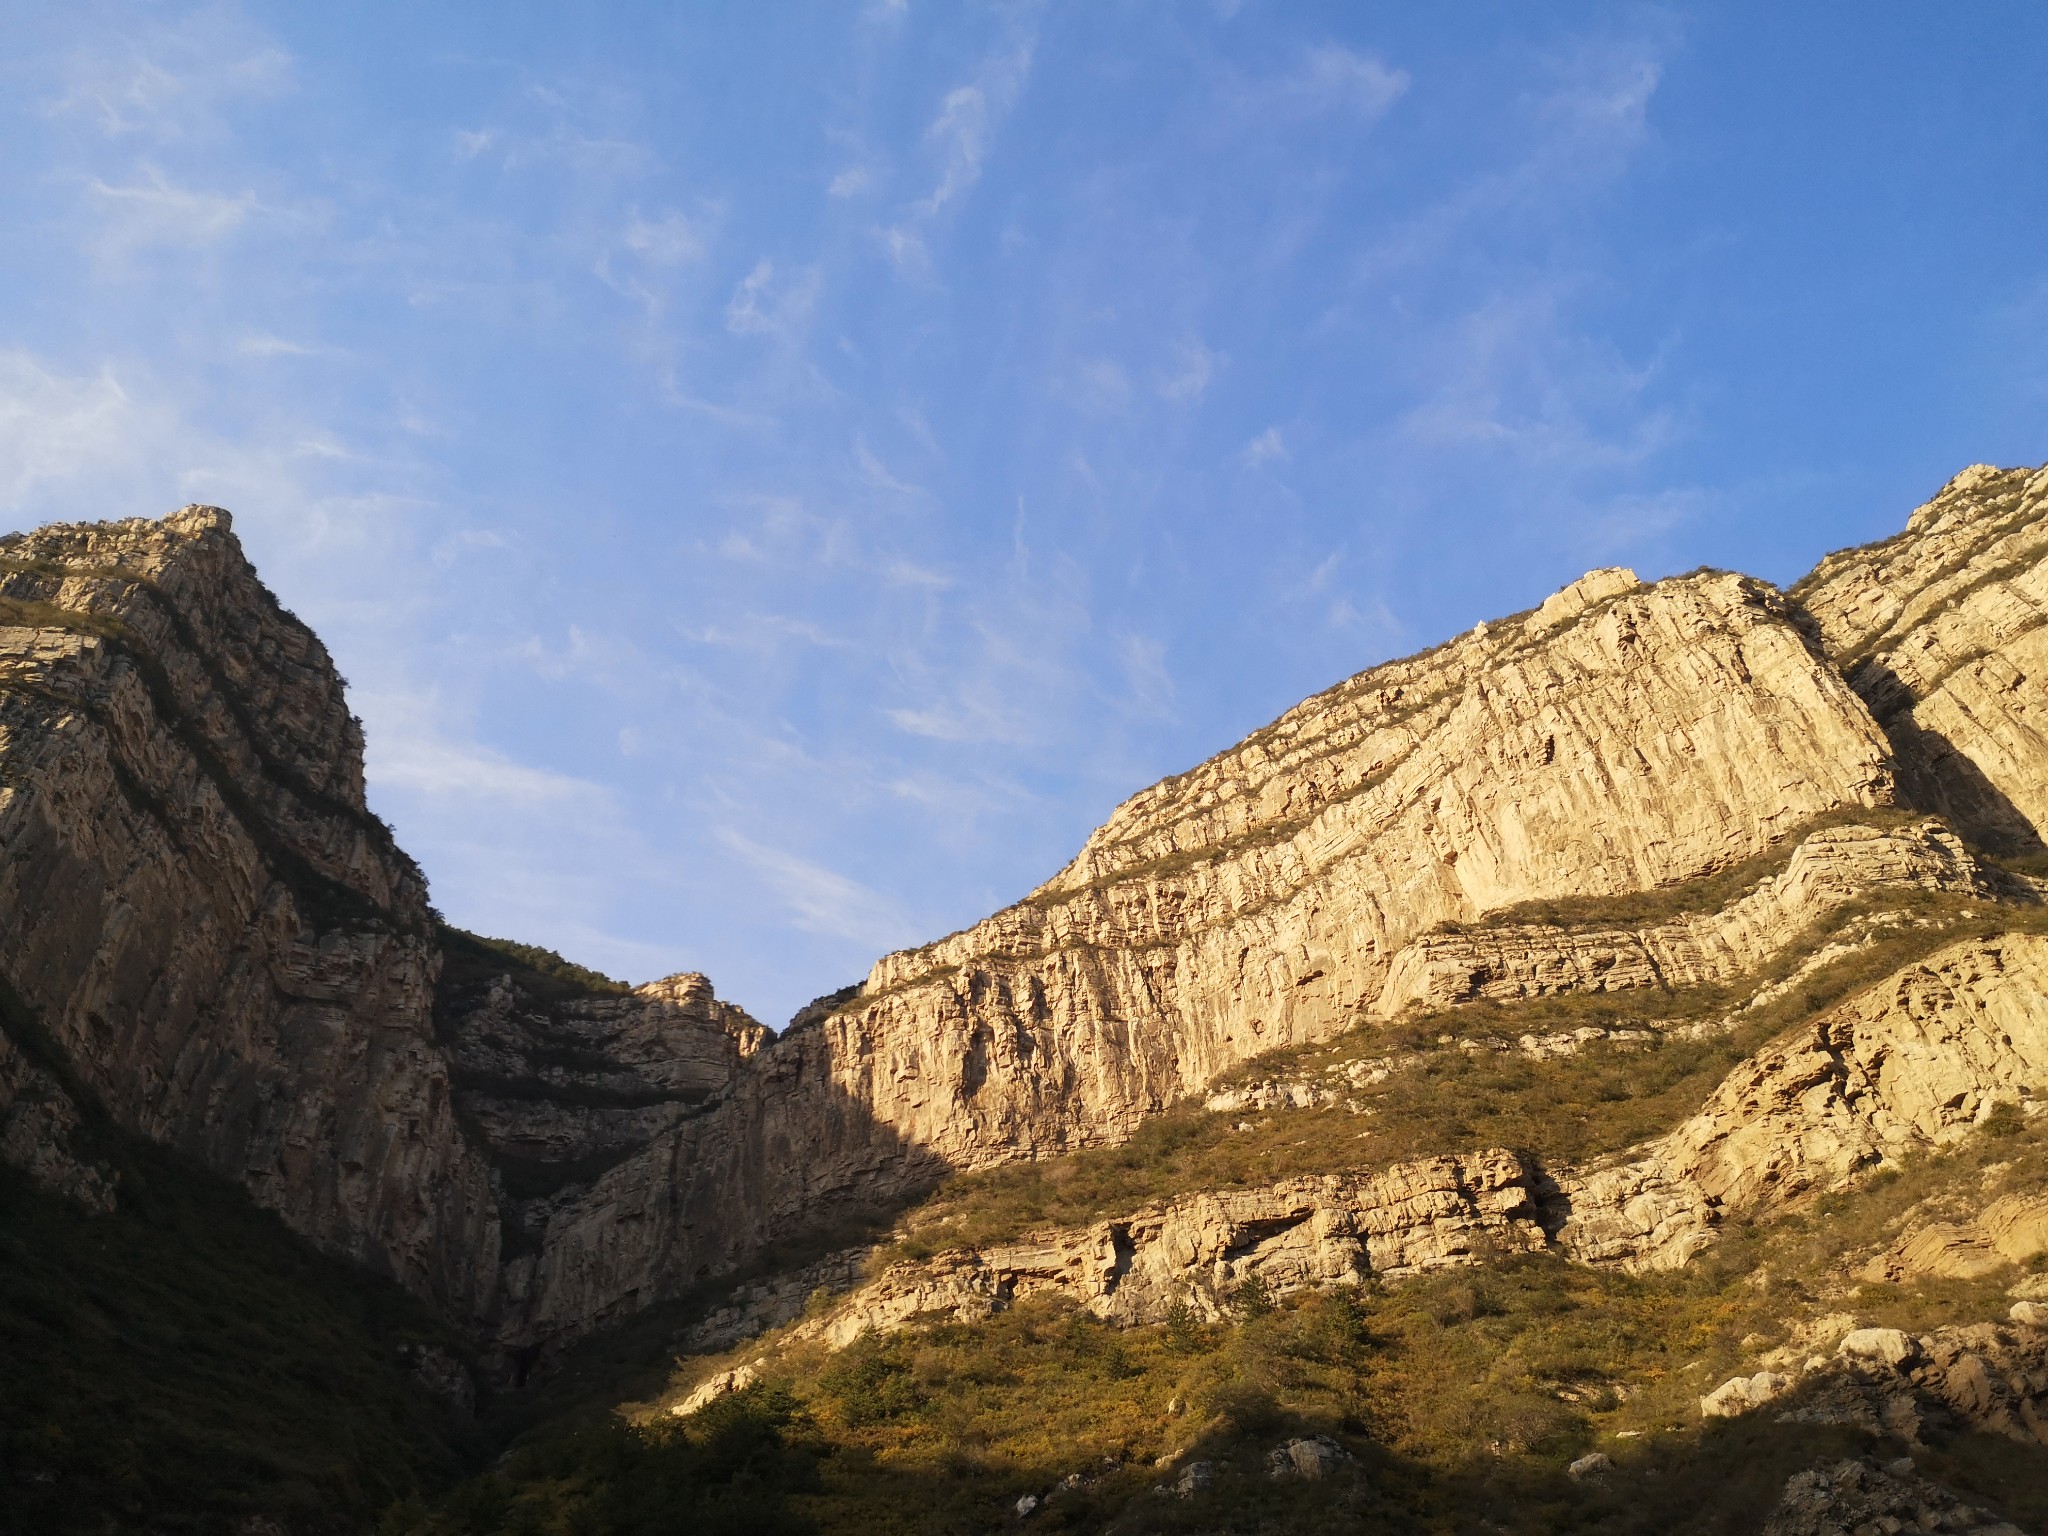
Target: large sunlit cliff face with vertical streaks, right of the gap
column 1619, row 738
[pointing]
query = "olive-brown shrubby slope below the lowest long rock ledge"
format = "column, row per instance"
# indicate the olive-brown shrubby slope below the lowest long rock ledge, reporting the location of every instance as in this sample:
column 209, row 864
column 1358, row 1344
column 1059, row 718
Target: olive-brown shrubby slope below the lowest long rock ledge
column 1459, row 1398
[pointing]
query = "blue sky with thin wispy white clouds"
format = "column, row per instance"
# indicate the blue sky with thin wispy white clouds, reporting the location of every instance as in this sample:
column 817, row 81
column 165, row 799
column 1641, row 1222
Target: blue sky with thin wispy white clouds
column 779, row 474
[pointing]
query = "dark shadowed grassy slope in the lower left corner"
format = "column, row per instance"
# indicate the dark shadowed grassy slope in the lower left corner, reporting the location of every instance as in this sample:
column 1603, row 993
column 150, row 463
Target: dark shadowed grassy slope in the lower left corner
column 187, row 1363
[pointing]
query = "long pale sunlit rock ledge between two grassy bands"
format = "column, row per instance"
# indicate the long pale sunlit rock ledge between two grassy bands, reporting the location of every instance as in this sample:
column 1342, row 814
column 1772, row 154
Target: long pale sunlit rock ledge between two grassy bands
column 1916, row 1062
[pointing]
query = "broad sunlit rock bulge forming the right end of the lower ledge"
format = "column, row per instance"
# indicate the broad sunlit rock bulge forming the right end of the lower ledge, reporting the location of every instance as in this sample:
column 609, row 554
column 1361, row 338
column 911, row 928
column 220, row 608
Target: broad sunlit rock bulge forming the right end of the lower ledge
column 1916, row 1062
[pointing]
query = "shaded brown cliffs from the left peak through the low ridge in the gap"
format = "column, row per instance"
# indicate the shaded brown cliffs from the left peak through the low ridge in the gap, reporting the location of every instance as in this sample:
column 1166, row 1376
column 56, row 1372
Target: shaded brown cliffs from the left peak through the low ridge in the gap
column 210, row 937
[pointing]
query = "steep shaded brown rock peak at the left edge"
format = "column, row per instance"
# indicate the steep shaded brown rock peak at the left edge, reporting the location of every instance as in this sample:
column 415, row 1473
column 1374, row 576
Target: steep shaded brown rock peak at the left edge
column 220, row 939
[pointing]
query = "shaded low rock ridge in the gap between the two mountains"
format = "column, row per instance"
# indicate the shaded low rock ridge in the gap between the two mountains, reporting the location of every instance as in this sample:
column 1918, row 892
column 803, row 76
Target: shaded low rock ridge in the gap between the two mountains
column 640, row 1140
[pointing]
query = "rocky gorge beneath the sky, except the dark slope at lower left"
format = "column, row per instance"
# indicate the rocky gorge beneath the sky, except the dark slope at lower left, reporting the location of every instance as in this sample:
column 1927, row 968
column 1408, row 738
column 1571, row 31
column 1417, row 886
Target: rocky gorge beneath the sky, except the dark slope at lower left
column 1672, row 953
